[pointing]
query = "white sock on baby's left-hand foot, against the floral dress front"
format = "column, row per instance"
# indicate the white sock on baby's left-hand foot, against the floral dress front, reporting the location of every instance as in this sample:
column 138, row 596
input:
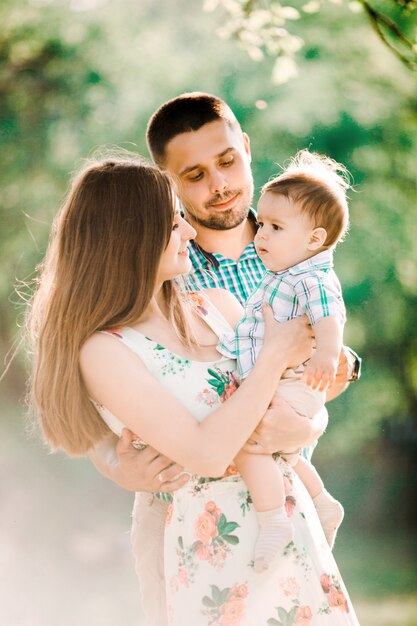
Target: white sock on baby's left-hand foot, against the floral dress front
column 275, row 532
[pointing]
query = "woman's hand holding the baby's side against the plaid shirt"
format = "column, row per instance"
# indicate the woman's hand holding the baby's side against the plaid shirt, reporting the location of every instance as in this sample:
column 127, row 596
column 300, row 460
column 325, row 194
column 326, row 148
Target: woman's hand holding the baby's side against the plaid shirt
column 292, row 340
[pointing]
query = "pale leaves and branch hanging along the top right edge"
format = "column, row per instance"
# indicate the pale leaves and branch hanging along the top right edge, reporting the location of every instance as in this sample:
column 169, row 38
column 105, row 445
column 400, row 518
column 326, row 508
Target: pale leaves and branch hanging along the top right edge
column 266, row 28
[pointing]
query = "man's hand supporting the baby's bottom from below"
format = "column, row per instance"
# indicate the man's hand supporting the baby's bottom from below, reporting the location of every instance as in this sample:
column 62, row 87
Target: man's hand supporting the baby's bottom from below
column 283, row 429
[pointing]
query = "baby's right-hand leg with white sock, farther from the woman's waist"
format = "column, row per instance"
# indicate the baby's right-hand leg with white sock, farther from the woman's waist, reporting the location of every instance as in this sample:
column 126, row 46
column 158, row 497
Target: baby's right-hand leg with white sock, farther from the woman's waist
column 329, row 510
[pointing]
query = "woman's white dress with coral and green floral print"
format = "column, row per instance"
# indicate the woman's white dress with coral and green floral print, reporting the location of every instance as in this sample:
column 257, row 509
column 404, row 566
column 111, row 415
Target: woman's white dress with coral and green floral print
column 211, row 526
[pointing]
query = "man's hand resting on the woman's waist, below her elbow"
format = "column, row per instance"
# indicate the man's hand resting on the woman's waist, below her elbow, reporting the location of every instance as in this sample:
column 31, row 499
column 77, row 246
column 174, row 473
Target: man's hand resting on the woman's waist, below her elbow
column 135, row 470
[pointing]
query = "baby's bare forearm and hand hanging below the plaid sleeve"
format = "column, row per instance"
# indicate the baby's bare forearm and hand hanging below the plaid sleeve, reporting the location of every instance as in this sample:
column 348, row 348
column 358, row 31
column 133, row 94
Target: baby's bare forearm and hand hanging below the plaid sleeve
column 320, row 371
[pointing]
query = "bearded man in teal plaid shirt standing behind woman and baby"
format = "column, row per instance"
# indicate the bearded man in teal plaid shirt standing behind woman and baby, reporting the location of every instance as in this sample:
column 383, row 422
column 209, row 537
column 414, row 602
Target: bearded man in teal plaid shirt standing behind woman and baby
column 197, row 138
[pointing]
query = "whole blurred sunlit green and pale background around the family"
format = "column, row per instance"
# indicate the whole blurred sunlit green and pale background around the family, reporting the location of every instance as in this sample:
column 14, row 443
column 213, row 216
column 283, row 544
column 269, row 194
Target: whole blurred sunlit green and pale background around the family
column 77, row 75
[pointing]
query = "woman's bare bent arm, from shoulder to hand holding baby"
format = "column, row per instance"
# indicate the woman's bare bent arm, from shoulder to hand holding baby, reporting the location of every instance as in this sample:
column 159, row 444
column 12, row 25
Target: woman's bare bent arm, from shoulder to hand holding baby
column 118, row 379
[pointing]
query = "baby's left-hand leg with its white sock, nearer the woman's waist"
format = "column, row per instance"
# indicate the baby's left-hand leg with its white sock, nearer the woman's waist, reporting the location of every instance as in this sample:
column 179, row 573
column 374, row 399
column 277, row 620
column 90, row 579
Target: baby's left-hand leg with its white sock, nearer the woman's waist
column 266, row 486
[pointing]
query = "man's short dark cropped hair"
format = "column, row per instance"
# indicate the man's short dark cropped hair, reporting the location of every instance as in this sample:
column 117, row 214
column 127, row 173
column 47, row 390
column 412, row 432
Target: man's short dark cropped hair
column 185, row 113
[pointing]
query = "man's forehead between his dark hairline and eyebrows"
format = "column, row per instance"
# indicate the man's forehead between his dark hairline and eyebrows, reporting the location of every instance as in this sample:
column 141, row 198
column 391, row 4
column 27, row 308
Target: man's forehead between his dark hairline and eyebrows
column 194, row 149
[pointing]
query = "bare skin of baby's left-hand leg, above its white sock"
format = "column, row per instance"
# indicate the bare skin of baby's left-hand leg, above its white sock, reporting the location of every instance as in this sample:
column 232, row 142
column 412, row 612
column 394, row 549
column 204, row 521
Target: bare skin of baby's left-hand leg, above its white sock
column 263, row 480
